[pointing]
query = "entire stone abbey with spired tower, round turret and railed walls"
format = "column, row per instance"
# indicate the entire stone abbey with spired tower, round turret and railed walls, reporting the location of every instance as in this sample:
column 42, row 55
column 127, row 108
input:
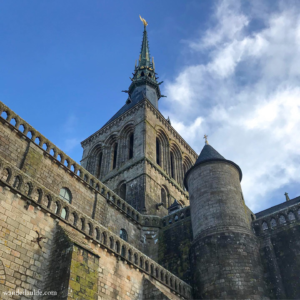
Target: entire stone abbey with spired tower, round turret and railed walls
column 142, row 217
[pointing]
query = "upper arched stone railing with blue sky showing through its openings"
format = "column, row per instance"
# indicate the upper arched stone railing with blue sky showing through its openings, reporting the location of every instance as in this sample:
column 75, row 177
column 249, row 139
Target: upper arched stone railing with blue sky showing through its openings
column 69, row 165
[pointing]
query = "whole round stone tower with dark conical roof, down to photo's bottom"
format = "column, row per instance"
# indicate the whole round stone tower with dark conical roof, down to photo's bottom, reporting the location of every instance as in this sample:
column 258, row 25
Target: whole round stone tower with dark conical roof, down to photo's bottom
column 225, row 252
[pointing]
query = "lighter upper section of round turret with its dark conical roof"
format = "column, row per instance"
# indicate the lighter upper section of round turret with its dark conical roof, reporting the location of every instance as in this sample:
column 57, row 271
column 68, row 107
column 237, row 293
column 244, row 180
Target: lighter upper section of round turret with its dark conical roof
column 216, row 197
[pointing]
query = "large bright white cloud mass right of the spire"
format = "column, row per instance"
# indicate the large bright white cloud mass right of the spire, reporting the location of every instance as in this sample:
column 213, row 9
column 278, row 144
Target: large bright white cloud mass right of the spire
column 246, row 96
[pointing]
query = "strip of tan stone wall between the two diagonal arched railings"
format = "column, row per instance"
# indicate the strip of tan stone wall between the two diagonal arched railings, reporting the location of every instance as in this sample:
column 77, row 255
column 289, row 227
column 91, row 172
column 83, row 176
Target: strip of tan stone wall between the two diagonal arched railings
column 90, row 198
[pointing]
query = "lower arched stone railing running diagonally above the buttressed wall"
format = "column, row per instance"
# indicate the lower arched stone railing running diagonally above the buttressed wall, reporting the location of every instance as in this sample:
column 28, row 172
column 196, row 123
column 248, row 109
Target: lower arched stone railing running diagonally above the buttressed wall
column 38, row 196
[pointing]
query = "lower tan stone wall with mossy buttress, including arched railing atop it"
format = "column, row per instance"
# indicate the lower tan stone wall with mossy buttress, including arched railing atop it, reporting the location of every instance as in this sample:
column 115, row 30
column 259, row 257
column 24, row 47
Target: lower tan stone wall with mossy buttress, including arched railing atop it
column 67, row 254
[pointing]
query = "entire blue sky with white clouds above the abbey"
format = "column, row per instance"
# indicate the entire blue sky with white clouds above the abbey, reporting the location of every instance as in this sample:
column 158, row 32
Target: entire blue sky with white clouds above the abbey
column 231, row 70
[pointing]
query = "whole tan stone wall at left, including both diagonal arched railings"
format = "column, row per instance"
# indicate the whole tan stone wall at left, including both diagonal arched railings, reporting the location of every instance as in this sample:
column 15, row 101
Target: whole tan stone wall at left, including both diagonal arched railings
column 32, row 172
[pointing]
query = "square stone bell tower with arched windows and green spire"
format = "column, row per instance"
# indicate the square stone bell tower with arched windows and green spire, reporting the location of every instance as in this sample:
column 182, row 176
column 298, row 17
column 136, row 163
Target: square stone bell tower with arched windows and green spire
column 137, row 153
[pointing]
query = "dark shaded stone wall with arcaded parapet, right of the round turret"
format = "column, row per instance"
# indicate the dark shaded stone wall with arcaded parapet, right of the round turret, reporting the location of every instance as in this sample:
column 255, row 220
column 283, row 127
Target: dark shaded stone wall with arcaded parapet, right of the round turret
column 279, row 232
